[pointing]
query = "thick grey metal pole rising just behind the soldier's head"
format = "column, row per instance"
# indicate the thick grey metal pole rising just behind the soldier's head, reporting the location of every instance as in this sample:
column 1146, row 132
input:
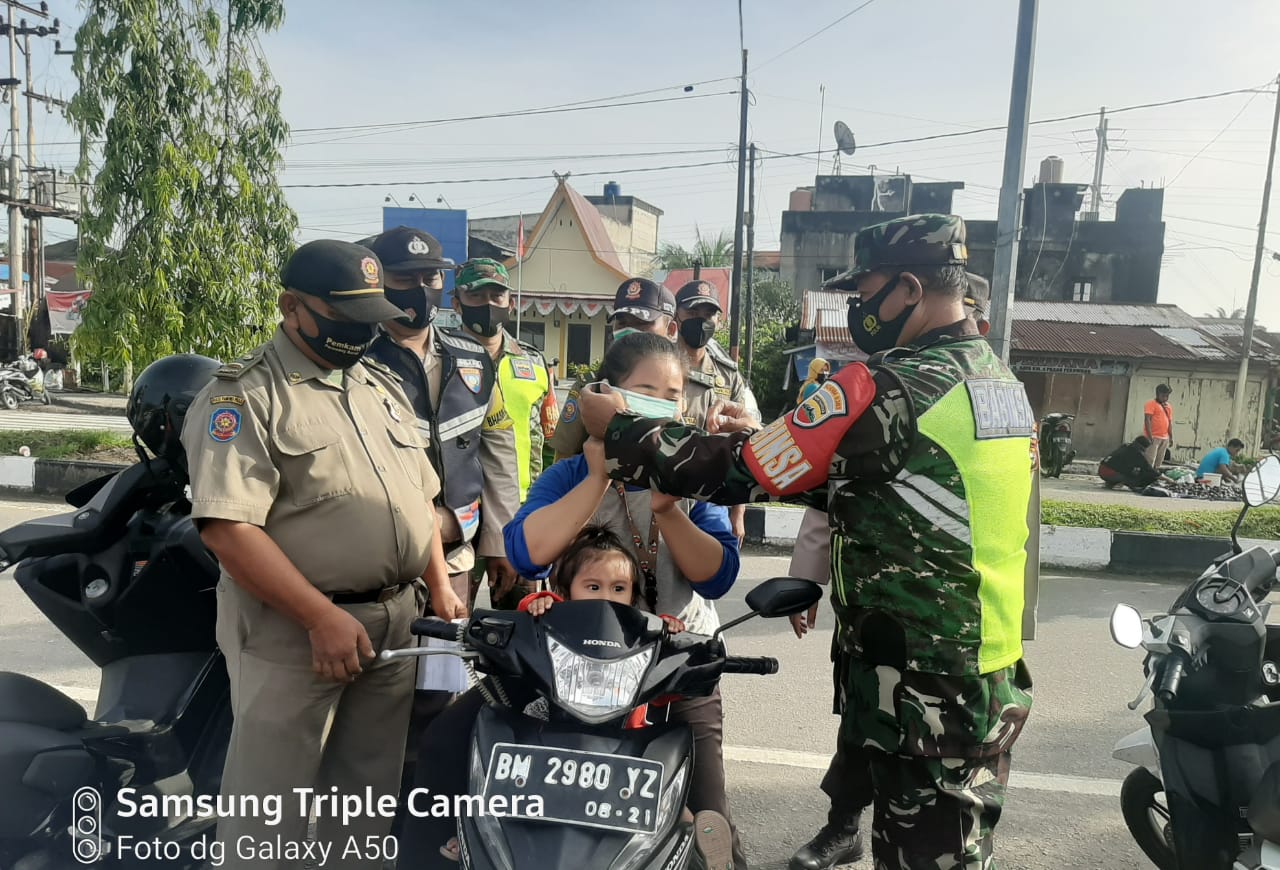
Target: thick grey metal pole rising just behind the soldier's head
column 1009, row 218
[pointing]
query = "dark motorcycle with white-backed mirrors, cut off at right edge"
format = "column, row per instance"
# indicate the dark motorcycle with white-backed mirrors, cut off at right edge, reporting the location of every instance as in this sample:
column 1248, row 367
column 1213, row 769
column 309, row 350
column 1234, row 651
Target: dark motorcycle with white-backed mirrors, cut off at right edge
column 1206, row 791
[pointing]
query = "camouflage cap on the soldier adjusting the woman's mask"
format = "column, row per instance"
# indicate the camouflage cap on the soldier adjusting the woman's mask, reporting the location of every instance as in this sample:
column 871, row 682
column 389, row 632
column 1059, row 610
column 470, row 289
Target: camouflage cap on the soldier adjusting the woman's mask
column 912, row 241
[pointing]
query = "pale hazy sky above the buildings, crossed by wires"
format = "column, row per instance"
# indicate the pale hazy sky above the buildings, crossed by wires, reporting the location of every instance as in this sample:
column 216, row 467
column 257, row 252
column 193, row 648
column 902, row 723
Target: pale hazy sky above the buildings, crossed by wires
column 895, row 70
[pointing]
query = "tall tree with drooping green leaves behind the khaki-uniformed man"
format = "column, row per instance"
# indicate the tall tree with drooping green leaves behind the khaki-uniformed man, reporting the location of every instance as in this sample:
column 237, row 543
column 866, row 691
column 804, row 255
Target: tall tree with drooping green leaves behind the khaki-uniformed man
column 186, row 227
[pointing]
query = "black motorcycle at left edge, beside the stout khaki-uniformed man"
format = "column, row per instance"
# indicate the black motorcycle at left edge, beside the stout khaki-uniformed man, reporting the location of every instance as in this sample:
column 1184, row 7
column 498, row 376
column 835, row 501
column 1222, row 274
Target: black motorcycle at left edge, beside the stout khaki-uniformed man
column 129, row 581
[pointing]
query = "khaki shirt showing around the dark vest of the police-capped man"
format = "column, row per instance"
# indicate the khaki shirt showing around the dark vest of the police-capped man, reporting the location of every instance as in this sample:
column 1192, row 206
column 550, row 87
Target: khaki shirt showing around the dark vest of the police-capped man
column 500, row 500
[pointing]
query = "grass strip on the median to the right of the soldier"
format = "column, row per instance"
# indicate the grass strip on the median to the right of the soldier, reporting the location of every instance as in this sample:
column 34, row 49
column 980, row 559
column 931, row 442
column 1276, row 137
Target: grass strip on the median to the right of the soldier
column 1261, row 523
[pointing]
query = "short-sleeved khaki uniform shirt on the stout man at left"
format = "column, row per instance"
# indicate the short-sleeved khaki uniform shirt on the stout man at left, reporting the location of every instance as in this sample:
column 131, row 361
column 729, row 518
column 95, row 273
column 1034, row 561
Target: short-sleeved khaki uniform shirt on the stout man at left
column 330, row 464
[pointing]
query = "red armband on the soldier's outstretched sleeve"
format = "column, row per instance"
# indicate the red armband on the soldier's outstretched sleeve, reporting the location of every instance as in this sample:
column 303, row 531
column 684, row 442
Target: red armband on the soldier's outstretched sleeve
column 793, row 455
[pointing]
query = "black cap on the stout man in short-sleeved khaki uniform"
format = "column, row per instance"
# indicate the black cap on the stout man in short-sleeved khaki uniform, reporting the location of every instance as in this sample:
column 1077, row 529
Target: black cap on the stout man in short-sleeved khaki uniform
column 346, row 276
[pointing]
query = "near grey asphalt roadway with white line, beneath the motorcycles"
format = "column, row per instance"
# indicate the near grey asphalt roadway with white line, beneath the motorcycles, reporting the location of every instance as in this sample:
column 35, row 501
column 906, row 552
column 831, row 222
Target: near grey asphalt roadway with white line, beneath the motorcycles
column 1063, row 811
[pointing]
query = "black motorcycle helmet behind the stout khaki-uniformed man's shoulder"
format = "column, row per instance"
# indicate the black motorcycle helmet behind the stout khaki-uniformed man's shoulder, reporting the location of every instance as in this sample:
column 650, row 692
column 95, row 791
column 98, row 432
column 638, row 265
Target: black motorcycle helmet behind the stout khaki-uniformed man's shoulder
column 159, row 404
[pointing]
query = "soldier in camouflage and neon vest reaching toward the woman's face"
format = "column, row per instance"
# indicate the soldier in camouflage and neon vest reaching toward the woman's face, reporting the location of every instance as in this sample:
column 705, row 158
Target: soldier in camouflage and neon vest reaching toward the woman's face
column 921, row 460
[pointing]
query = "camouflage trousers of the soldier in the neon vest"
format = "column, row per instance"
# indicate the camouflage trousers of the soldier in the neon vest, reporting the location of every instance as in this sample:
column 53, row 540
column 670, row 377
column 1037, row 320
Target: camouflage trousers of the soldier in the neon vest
column 931, row 755
